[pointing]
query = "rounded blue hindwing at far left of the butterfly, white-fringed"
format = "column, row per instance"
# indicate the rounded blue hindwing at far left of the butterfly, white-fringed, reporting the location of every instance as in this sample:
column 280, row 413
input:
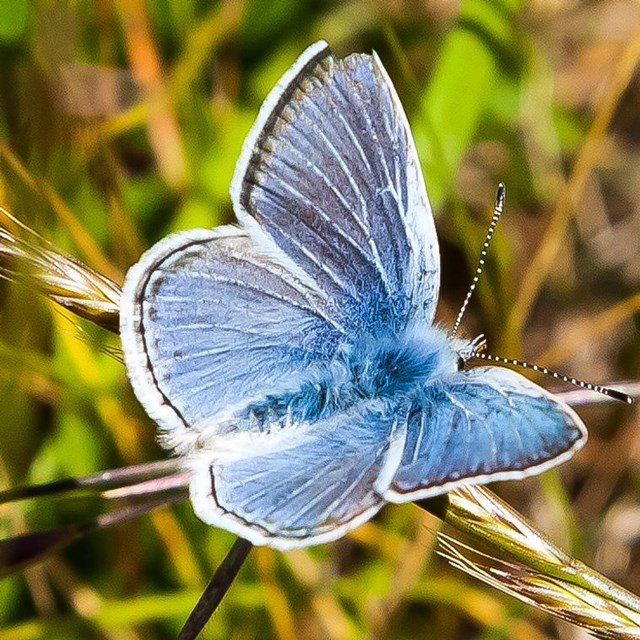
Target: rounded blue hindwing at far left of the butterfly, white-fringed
column 211, row 320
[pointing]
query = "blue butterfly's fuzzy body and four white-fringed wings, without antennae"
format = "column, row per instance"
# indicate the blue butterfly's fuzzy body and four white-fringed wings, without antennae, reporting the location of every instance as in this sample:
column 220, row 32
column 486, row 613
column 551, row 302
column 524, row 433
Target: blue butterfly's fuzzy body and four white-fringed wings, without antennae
column 292, row 360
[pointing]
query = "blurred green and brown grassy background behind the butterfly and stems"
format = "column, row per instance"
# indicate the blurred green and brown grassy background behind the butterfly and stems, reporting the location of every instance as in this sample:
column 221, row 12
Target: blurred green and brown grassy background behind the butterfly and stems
column 121, row 121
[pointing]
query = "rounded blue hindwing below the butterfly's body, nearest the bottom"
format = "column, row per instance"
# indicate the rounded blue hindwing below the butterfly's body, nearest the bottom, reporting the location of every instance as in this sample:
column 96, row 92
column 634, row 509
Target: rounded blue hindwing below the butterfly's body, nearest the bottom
column 300, row 486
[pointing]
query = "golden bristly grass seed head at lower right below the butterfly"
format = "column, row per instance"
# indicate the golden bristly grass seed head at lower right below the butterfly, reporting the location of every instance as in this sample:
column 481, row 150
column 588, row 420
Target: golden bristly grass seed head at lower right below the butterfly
column 532, row 568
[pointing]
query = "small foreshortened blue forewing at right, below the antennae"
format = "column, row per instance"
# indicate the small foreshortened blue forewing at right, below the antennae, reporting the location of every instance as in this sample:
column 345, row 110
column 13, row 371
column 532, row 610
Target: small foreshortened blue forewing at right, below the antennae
column 482, row 425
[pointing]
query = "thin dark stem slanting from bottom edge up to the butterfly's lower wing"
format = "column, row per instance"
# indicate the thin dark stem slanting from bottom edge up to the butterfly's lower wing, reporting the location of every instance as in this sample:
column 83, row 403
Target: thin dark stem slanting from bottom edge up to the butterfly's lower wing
column 216, row 590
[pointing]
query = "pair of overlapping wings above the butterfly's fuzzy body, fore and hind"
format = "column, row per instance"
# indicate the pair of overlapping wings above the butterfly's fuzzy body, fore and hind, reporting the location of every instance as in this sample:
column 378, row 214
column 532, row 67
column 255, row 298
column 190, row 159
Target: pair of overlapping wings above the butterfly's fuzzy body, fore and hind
column 338, row 240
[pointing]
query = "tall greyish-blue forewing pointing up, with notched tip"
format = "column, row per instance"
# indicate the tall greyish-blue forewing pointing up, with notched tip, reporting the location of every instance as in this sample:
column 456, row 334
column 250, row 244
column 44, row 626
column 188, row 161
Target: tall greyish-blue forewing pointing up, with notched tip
column 330, row 172
